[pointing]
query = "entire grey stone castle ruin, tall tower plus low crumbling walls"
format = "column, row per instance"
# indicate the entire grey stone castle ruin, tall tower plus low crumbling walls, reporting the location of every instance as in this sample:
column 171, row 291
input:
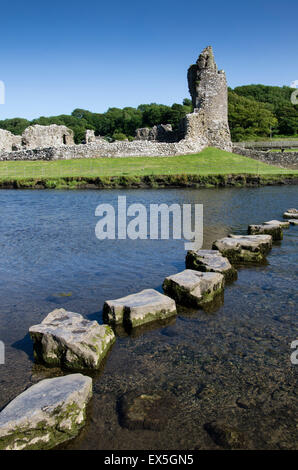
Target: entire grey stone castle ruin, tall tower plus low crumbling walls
column 207, row 126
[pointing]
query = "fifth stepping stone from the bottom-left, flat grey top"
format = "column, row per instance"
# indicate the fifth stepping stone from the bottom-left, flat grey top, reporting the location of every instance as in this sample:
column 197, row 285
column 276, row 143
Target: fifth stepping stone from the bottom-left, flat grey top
column 210, row 261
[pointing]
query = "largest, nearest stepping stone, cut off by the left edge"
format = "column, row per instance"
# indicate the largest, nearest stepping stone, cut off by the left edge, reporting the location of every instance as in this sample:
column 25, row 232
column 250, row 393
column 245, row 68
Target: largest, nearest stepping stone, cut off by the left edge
column 46, row 414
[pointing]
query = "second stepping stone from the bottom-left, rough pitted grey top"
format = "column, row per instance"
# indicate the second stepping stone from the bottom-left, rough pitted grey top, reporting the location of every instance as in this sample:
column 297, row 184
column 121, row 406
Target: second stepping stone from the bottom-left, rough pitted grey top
column 68, row 340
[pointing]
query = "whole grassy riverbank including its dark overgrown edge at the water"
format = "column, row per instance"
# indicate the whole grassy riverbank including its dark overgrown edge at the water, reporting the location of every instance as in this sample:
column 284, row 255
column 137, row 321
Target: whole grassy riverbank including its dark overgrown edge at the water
column 211, row 167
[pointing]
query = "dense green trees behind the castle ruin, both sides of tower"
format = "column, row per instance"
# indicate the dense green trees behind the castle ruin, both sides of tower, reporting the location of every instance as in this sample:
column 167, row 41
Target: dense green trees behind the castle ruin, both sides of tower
column 255, row 111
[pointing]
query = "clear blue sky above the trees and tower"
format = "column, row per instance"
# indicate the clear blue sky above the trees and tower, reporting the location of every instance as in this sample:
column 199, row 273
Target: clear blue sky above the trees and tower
column 61, row 55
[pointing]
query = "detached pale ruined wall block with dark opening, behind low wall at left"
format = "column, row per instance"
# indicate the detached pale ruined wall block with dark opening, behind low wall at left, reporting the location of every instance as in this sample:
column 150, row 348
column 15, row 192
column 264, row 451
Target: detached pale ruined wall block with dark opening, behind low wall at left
column 47, row 136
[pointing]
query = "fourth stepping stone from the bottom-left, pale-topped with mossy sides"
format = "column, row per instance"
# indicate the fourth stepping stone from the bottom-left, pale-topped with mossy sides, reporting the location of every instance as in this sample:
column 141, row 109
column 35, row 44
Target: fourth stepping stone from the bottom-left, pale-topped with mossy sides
column 194, row 288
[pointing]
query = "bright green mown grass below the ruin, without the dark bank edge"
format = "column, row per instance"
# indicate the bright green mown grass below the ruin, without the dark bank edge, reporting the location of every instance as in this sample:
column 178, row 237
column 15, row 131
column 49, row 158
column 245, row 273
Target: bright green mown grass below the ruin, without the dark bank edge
column 210, row 161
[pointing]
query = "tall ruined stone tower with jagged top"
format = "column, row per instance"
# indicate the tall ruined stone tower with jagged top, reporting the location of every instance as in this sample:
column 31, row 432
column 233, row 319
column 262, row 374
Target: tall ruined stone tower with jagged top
column 208, row 89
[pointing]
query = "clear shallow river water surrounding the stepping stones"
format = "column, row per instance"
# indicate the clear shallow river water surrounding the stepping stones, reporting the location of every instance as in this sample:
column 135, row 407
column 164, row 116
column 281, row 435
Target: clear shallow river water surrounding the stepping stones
column 232, row 365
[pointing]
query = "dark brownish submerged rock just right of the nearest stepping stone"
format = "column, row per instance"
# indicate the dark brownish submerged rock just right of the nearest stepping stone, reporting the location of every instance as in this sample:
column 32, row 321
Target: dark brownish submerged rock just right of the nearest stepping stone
column 145, row 411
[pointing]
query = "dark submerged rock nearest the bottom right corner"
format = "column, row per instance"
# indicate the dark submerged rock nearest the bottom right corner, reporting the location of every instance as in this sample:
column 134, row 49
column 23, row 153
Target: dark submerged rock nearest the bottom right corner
column 226, row 436
